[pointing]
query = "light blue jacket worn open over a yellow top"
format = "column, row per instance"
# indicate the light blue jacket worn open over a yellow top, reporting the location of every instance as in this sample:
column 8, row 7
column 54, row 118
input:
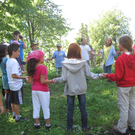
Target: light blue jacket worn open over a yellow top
column 112, row 54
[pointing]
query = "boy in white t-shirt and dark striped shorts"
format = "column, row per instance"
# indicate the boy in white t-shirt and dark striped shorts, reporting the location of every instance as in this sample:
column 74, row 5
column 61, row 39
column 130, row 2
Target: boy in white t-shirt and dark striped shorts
column 15, row 80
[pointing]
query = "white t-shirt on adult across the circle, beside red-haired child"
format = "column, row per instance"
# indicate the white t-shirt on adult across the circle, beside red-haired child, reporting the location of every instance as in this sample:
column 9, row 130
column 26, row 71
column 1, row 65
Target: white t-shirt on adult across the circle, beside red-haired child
column 85, row 49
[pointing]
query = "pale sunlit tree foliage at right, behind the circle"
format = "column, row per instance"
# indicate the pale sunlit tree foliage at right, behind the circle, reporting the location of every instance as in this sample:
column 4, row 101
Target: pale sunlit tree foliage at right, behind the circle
column 112, row 23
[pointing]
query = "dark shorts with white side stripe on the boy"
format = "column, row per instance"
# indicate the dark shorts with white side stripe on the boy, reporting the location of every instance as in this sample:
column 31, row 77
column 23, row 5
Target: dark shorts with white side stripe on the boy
column 17, row 96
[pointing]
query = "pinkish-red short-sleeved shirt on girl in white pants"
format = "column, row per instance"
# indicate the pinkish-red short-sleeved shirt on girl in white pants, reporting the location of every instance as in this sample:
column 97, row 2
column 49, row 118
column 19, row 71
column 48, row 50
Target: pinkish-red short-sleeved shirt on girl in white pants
column 40, row 70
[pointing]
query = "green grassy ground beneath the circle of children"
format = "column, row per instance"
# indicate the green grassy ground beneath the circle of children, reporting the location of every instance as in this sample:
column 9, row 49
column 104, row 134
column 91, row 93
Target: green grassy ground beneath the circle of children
column 101, row 107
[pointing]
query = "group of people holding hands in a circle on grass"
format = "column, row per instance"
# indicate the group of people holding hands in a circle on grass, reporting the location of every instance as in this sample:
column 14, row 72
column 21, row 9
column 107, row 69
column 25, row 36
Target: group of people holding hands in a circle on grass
column 74, row 71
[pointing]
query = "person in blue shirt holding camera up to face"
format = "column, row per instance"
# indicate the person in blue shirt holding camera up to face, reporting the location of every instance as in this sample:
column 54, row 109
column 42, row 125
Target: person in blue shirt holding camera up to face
column 22, row 46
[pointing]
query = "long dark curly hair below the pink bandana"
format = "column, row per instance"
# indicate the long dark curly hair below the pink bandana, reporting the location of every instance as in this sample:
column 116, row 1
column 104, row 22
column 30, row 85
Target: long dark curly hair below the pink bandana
column 31, row 64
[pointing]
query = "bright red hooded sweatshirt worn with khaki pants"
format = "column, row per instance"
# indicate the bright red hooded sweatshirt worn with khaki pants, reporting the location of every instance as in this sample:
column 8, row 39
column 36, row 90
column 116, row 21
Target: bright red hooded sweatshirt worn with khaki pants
column 124, row 71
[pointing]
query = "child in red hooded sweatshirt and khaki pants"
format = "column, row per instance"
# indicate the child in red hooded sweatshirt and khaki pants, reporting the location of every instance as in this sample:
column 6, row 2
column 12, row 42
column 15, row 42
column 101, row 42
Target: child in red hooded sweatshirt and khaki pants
column 125, row 79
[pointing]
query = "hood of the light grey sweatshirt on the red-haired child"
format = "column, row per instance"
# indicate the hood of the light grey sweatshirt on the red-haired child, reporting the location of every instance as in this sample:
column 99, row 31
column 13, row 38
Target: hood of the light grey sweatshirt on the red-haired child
column 74, row 65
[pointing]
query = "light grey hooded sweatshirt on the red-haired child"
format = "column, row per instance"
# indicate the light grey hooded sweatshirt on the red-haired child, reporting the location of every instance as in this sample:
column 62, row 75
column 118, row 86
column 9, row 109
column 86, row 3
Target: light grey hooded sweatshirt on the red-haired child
column 73, row 74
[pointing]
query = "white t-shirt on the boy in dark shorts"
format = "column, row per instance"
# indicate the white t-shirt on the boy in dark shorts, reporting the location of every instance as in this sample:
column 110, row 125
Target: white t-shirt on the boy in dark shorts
column 12, row 67
